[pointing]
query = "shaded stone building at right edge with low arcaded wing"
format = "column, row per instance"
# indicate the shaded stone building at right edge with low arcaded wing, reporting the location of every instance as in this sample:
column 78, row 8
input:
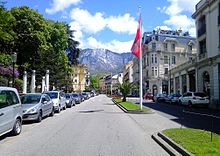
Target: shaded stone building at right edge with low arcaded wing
column 203, row 73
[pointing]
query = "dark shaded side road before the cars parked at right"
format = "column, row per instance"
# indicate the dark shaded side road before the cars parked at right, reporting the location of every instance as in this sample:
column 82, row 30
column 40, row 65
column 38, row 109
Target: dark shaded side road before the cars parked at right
column 196, row 117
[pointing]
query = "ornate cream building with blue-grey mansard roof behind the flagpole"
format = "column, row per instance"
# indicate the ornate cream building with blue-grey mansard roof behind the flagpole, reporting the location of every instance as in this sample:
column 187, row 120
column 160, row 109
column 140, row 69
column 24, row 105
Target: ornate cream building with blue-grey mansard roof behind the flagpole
column 162, row 51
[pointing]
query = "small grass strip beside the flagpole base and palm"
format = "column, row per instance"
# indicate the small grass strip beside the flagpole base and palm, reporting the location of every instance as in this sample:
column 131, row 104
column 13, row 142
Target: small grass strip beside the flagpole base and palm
column 131, row 106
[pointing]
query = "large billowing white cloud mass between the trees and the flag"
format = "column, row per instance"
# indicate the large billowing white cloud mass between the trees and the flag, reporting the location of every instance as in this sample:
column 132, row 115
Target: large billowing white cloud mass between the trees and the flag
column 86, row 24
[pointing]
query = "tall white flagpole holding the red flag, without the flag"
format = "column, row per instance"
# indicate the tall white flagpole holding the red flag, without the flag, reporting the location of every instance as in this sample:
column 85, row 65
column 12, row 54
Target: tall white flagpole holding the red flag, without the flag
column 140, row 69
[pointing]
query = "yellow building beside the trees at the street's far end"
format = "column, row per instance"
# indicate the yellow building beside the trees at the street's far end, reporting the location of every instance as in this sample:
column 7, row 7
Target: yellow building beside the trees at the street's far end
column 78, row 77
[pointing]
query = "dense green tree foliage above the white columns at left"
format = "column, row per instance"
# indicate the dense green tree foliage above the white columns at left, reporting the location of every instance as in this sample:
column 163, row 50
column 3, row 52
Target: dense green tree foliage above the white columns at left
column 40, row 44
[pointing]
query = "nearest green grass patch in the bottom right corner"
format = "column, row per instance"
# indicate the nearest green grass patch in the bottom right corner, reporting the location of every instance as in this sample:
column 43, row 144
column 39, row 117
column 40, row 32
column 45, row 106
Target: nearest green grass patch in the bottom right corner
column 197, row 142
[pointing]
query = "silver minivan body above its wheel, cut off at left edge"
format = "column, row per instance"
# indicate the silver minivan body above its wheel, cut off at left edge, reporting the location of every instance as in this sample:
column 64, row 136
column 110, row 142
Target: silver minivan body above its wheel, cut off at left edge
column 9, row 107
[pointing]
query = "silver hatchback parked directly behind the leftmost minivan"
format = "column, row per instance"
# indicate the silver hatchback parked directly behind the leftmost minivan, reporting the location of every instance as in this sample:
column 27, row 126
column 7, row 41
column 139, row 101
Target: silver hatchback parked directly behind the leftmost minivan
column 36, row 106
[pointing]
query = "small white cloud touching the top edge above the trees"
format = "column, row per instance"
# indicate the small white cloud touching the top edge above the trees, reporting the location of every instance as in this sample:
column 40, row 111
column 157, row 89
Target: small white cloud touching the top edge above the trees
column 60, row 5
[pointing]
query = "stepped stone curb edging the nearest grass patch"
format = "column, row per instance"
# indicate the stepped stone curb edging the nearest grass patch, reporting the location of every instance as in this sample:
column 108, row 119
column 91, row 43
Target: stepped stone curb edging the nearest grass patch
column 169, row 145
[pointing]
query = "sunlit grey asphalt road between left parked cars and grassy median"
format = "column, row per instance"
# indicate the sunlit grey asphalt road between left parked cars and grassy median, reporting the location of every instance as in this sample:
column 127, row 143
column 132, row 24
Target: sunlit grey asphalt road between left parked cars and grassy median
column 95, row 127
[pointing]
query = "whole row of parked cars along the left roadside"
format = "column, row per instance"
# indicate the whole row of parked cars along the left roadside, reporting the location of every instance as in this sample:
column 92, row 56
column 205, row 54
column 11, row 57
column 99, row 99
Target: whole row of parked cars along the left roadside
column 32, row 106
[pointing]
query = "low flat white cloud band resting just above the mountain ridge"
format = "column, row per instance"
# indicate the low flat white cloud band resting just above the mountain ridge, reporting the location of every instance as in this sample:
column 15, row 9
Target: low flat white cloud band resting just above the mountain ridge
column 113, row 45
